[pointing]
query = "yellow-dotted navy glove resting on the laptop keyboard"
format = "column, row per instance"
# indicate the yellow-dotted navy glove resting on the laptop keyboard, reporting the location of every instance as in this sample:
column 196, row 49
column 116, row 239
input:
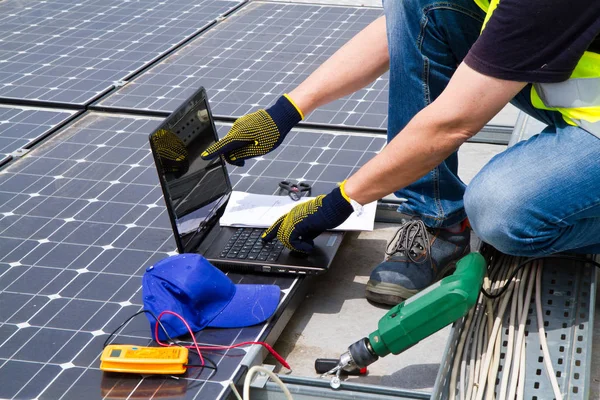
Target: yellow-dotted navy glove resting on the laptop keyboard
column 297, row 229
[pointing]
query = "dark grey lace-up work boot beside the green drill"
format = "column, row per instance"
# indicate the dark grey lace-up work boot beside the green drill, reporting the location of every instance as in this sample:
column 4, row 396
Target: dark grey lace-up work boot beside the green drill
column 416, row 257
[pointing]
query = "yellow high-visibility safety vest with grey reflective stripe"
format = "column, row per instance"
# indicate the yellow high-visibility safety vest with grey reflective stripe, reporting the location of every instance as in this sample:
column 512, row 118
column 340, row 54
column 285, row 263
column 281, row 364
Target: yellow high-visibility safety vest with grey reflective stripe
column 578, row 98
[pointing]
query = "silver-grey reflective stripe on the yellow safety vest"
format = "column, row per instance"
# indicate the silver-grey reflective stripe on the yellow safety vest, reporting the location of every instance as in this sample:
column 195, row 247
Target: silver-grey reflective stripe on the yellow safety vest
column 578, row 92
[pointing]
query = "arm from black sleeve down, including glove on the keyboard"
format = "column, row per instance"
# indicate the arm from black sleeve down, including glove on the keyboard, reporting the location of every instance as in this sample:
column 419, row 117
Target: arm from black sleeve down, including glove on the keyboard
column 469, row 101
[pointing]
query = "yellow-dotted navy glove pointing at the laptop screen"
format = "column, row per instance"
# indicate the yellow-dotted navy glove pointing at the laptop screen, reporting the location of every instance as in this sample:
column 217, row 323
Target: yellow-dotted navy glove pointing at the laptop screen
column 257, row 133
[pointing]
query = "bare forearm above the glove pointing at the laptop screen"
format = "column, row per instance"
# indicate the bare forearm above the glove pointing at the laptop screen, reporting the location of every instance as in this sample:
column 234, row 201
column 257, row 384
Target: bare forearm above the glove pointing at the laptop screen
column 358, row 63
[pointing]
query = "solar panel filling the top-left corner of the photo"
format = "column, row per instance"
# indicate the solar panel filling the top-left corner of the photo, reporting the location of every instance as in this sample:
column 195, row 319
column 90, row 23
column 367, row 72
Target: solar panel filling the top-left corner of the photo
column 72, row 51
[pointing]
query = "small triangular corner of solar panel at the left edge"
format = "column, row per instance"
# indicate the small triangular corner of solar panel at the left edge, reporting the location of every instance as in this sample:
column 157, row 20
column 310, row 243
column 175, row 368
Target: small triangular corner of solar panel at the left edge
column 21, row 127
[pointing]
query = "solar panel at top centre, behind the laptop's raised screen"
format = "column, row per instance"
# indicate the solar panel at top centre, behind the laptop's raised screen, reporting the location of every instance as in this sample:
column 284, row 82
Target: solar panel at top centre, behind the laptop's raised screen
column 258, row 53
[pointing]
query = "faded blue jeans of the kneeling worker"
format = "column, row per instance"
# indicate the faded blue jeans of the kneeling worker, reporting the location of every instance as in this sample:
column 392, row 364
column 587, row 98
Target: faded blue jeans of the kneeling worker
column 538, row 197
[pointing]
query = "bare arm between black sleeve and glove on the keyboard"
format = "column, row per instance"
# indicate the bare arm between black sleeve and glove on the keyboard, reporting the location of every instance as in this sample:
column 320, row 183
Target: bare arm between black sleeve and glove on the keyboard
column 469, row 101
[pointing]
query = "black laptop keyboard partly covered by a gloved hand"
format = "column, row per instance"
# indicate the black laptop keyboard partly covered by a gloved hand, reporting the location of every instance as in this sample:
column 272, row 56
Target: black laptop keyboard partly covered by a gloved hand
column 245, row 244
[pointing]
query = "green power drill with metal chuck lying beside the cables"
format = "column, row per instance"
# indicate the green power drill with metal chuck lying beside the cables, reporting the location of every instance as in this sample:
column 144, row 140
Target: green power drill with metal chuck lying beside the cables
column 417, row 317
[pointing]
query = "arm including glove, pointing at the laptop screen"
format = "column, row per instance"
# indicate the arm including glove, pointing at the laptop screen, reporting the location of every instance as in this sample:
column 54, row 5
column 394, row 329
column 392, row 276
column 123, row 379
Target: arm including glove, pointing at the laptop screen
column 355, row 65
